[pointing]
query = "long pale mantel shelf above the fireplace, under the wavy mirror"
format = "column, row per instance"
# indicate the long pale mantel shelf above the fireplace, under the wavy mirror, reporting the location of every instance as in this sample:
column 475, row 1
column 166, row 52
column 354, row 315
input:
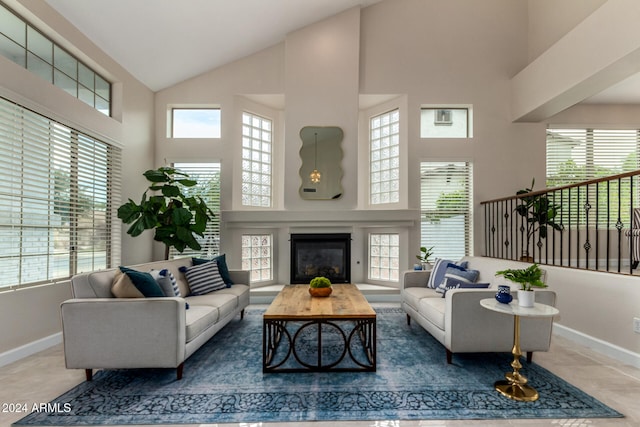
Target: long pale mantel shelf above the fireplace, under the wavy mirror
column 322, row 218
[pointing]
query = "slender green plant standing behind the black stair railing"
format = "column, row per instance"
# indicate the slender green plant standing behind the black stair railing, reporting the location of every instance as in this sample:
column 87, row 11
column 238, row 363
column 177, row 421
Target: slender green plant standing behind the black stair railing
column 539, row 213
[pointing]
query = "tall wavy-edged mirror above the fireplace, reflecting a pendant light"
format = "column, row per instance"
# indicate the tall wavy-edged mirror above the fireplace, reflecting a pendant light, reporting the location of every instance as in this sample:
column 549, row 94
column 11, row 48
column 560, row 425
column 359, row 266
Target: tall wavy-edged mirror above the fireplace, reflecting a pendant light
column 321, row 170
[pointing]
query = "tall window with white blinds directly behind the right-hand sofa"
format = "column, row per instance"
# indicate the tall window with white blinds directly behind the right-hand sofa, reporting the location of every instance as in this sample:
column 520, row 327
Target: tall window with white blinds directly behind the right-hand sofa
column 446, row 206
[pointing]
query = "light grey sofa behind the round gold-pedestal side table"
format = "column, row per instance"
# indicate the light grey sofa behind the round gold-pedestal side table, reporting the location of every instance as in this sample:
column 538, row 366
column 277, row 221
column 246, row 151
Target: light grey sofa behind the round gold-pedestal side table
column 462, row 325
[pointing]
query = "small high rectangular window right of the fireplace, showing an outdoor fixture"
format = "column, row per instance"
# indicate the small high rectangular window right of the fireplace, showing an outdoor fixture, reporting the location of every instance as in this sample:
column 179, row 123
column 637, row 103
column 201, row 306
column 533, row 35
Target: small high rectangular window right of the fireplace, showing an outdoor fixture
column 445, row 123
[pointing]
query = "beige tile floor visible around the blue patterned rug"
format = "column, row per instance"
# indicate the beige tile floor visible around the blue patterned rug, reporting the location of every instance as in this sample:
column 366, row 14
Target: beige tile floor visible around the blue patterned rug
column 42, row 377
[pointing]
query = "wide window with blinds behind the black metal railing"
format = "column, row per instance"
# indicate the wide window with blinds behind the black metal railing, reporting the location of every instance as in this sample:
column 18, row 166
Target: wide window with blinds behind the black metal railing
column 576, row 155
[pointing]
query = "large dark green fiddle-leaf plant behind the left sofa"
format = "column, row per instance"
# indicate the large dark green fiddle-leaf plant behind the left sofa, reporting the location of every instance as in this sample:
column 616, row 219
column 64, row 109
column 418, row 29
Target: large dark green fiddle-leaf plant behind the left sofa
column 176, row 217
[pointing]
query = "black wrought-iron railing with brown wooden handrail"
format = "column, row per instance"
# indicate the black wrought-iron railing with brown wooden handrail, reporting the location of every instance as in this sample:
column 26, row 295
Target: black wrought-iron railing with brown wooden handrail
column 589, row 225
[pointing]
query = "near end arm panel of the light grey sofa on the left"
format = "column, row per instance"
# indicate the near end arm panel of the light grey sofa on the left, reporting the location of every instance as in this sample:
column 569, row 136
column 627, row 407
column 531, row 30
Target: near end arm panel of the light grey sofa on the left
column 124, row 332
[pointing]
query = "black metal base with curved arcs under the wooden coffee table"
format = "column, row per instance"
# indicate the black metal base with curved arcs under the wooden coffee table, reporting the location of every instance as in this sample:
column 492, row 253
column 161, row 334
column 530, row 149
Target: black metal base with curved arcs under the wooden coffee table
column 352, row 345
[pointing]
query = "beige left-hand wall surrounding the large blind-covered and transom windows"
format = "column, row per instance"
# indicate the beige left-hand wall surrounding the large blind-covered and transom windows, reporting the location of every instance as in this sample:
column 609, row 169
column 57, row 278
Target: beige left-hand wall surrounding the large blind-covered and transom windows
column 131, row 127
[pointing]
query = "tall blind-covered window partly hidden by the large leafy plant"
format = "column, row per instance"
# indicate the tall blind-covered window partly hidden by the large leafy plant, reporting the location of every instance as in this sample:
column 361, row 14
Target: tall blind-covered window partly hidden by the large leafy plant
column 208, row 177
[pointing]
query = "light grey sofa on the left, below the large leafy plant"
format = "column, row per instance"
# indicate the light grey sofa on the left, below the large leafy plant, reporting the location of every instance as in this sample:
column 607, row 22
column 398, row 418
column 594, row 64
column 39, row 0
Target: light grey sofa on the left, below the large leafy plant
column 104, row 332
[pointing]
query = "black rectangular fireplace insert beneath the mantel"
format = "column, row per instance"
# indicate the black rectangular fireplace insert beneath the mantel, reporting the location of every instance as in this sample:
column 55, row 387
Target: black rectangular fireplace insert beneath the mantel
column 327, row 255
